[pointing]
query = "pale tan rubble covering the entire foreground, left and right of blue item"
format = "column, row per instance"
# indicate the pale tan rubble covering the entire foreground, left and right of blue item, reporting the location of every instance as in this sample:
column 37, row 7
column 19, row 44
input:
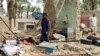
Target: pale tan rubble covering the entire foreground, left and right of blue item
column 63, row 48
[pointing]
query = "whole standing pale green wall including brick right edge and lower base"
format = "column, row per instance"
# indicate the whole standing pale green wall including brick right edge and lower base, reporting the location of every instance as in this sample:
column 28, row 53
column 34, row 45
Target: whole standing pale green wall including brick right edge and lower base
column 71, row 10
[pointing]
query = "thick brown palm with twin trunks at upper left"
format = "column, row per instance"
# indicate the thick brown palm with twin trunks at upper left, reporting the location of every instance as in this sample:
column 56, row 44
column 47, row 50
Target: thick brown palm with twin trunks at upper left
column 13, row 7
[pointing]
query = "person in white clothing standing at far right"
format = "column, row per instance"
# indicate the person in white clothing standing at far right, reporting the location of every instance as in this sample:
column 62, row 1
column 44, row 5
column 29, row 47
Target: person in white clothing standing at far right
column 93, row 23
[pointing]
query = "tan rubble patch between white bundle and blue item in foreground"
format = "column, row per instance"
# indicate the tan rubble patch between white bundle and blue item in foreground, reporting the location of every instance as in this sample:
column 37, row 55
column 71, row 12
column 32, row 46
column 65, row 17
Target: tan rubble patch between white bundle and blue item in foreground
column 28, row 50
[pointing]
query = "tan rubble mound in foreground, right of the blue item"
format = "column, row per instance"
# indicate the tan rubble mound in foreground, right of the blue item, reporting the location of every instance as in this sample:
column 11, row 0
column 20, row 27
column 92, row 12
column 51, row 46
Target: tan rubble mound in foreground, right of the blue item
column 76, row 48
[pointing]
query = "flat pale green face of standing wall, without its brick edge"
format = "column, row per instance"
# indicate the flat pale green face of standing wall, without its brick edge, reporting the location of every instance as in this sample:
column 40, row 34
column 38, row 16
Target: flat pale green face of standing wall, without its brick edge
column 68, row 9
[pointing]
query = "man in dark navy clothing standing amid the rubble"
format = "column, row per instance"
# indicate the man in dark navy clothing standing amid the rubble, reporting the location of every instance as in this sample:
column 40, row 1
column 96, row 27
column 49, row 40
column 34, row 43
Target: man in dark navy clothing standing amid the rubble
column 45, row 28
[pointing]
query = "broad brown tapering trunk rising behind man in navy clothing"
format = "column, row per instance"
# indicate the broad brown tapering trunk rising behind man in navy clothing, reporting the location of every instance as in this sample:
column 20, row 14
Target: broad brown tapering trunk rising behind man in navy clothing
column 51, row 12
